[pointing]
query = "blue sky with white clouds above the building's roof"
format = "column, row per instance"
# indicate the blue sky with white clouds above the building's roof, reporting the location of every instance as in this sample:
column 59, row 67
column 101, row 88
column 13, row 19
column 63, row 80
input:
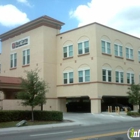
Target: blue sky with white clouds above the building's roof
column 123, row 15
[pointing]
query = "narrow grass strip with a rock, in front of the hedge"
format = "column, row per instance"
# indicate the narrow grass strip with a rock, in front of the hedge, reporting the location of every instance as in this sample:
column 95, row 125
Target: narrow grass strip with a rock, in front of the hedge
column 29, row 123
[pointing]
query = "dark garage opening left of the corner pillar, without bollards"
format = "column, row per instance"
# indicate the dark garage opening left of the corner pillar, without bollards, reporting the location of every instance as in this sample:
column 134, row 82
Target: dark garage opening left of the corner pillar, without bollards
column 78, row 104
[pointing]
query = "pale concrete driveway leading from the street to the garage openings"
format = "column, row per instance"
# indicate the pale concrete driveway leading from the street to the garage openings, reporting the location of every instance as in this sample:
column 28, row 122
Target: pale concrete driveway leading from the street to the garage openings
column 94, row 119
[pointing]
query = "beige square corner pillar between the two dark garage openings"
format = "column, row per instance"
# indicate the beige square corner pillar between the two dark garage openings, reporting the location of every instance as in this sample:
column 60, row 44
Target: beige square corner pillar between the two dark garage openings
column 95, row 105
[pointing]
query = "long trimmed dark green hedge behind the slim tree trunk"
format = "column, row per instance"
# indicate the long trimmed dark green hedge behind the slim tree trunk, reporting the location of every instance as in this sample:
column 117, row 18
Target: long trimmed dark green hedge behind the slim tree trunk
column 6, row 116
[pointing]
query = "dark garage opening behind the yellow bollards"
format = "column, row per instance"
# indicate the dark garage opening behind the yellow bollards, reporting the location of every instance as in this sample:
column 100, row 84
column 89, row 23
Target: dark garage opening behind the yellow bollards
column 120, row 101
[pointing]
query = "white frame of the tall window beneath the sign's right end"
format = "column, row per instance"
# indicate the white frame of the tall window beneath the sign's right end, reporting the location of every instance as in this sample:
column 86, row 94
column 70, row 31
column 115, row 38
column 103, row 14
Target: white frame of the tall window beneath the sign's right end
column 26, row 57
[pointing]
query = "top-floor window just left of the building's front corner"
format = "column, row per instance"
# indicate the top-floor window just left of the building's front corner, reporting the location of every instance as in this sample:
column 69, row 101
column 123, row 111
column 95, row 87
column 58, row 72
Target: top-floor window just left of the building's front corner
column 83, row 47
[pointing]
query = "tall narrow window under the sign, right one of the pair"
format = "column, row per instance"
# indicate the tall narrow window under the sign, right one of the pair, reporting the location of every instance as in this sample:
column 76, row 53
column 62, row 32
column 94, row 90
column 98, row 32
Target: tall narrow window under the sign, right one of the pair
column 26, row 57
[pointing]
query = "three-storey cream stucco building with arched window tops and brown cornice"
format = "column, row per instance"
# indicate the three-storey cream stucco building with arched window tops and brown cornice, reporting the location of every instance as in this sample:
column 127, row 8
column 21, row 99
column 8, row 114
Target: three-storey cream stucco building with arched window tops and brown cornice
column 94, row 62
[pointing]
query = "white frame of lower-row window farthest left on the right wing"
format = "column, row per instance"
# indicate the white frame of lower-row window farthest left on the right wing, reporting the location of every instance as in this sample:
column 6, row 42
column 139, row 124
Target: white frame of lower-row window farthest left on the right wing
column 68, row 77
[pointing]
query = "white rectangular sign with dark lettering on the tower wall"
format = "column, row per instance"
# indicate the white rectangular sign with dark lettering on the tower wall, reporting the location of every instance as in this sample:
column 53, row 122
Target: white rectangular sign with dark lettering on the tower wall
column 20, row 43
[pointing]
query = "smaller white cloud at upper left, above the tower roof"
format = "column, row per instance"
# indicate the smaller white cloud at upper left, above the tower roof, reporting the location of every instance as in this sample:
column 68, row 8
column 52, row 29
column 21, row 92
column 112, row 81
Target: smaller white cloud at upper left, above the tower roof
column 11, row 16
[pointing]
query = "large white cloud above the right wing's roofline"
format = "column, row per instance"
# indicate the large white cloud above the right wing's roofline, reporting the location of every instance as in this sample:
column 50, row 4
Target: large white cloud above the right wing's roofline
column 122, row 15
